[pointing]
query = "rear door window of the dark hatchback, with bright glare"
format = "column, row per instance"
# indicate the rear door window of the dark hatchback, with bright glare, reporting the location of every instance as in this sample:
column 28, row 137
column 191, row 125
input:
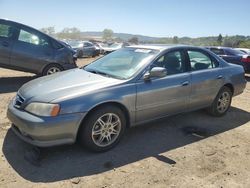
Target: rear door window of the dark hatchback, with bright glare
column 28, row 37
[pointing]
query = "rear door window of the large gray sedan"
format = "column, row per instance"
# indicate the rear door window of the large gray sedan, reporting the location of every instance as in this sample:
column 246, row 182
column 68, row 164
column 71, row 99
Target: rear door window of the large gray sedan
column 200, row 61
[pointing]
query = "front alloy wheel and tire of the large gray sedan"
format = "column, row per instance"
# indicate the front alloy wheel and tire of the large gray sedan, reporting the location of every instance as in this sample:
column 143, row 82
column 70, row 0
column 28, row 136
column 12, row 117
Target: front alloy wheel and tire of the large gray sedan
column 102, row 129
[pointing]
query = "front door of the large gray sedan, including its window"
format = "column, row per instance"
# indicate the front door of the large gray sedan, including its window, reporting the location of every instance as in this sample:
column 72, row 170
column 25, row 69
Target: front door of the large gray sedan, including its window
column 160, row 97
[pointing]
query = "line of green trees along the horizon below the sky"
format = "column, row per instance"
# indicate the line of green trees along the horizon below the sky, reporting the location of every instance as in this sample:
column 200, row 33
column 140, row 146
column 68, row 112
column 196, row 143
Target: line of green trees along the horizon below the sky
column 108, row 35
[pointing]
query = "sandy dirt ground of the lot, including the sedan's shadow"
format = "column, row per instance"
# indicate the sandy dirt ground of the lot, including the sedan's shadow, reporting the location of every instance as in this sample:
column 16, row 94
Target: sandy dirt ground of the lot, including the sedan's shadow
column 190, row 150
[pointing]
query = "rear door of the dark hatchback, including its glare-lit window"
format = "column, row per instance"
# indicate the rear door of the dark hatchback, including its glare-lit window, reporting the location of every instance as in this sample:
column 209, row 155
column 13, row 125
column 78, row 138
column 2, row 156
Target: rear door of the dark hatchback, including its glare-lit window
column 31, row 51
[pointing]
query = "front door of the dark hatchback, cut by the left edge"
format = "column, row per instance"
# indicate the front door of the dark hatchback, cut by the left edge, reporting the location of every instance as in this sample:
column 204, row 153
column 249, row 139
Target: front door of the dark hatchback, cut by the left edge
column 7, row 33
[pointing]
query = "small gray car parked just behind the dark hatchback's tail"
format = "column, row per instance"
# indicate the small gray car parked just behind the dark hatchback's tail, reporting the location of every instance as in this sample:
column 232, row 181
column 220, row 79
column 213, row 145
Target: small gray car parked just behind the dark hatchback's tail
column 84, row 48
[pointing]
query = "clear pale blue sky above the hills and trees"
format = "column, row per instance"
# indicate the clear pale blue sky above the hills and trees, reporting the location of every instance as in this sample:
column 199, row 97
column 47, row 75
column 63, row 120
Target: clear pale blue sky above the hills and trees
column 157, row 18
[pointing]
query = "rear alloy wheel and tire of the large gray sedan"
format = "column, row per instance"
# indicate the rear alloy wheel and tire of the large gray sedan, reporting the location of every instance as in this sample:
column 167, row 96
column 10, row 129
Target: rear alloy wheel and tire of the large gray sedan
column 221, row 103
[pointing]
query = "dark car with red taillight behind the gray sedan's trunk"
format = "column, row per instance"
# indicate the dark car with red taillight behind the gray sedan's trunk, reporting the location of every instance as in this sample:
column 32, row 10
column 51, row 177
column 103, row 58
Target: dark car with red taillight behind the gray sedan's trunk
column 233, row 56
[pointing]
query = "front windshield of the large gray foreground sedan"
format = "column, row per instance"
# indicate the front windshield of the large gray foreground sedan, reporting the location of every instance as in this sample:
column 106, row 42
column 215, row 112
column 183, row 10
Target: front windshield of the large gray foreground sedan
column 122, row 64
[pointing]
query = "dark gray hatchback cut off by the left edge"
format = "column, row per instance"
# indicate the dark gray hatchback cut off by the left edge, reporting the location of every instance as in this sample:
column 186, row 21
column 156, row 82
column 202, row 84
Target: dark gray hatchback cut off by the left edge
column 27, row 49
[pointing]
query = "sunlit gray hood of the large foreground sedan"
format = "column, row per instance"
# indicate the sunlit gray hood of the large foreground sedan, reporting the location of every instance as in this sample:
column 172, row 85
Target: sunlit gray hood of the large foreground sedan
column 64, row 85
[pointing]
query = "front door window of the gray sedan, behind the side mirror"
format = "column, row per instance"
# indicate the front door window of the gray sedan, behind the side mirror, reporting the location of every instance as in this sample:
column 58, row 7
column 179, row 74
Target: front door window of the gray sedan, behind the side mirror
column 172, row 61
